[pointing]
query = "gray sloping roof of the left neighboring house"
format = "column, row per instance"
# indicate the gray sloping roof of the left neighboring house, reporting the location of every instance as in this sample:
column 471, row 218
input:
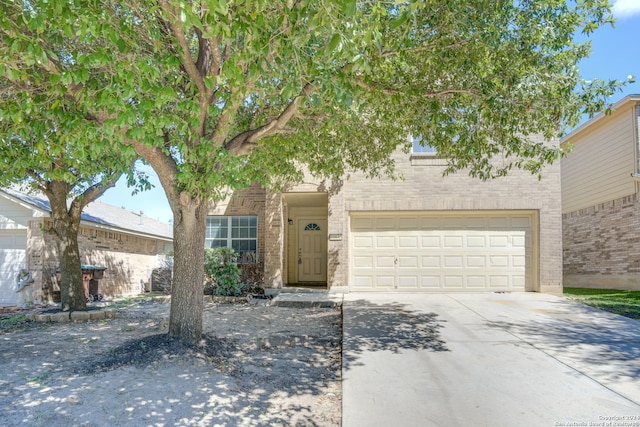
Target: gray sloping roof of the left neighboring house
column 101, row 214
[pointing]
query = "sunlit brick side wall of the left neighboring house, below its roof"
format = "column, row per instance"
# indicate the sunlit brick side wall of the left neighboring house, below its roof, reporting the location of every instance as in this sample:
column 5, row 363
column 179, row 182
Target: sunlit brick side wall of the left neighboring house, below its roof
column 129, row 258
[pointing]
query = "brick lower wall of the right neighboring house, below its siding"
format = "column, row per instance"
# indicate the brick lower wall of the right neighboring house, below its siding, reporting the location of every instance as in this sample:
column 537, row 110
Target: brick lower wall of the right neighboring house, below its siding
column 601, row 248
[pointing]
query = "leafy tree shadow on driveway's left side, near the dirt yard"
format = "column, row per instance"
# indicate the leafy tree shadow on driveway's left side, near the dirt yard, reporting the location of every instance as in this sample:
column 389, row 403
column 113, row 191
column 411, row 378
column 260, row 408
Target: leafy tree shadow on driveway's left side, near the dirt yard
column 388, row 327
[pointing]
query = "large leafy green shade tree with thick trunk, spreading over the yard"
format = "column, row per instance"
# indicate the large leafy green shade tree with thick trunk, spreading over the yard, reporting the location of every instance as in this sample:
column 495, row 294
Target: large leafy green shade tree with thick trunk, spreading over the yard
column 217, row 94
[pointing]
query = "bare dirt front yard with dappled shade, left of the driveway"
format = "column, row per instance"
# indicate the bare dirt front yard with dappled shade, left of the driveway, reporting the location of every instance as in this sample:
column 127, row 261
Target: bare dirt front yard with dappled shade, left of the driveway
column 257, row 366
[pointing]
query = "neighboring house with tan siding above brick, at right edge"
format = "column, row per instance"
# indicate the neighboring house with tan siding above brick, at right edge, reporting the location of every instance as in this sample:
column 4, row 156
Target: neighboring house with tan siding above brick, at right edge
column 600, row 206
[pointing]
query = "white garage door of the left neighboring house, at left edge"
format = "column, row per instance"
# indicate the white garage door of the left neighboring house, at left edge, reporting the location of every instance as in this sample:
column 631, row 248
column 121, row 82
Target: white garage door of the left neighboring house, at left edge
column 13, row 245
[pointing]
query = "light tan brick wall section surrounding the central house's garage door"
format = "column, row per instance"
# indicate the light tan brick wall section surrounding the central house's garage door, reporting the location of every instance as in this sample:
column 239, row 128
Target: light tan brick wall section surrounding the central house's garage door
column 423, row 188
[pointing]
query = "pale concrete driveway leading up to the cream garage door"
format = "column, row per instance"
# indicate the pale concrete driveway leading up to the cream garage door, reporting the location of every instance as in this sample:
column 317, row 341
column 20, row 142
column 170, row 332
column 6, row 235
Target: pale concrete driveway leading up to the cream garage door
column 493, row 359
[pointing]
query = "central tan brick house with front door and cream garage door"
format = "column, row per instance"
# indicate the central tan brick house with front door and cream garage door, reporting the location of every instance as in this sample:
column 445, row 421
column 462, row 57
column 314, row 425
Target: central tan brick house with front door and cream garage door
column 425, row 233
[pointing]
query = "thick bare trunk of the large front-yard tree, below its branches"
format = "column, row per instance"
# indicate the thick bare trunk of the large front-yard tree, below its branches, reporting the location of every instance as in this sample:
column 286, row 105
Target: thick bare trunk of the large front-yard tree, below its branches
column 185, row 318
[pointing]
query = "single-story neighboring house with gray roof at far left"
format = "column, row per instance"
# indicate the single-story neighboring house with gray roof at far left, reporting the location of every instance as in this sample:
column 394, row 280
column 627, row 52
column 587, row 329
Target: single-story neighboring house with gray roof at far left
column 128, row 244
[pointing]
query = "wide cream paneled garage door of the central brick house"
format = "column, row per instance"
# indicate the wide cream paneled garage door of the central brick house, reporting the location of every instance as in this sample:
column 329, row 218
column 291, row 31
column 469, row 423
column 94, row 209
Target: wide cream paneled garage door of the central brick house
column 444, row 252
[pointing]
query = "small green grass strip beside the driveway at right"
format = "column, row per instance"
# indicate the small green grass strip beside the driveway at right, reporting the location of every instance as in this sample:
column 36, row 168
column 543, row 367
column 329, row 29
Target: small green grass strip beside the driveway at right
column 625, row 303
